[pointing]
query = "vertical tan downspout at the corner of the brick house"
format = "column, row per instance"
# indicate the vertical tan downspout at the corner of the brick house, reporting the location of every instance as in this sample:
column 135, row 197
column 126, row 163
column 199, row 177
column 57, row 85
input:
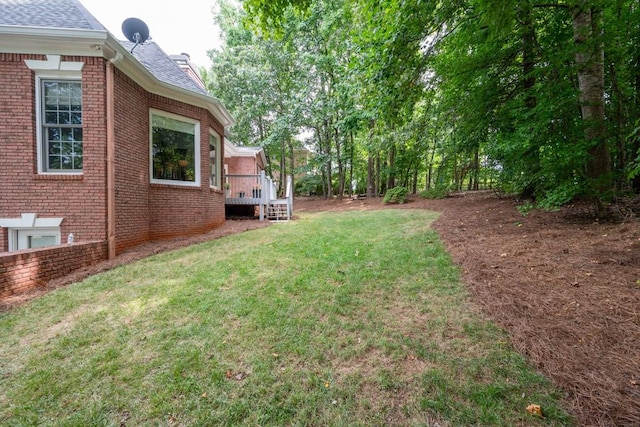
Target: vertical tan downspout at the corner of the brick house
column 111, row 149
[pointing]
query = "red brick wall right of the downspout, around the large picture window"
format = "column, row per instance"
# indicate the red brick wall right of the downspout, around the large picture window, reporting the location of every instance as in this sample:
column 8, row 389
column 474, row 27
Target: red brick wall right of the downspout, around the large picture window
column 147, row 211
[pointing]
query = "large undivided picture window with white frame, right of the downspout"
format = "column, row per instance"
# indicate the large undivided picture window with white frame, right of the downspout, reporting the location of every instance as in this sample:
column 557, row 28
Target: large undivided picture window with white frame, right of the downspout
column 175, row 149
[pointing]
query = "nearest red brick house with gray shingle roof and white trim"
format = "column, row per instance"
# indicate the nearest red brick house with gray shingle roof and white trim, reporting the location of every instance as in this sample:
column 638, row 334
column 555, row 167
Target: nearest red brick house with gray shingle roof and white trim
column 101, row 139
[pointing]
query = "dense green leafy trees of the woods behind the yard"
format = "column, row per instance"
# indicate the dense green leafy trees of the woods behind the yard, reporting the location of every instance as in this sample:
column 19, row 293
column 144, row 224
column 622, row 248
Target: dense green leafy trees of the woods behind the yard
column 531, row 97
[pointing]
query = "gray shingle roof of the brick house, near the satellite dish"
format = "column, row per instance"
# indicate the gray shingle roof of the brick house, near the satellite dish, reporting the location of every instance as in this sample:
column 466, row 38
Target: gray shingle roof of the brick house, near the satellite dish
column 70, row 14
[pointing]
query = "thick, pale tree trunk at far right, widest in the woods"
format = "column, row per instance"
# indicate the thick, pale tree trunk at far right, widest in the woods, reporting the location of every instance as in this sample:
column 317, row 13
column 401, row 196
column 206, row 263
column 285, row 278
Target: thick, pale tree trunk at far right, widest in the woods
column 587, row 36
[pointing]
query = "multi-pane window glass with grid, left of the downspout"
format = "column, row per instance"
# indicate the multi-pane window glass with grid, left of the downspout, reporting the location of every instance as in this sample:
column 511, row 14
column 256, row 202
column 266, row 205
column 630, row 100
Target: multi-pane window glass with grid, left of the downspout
column 61, row 121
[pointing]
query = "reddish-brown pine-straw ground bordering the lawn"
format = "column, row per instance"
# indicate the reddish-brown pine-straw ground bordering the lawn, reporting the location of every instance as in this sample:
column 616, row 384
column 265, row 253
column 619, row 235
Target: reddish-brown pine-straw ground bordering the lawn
column 564, row 285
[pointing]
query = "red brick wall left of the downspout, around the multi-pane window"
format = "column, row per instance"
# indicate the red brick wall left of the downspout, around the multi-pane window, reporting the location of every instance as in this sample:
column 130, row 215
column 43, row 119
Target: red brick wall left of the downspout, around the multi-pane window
column 79, row 199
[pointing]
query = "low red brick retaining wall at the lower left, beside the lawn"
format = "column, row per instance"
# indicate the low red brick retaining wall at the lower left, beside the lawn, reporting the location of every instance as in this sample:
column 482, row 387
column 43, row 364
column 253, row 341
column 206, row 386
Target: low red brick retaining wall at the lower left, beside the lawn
column 22, row 271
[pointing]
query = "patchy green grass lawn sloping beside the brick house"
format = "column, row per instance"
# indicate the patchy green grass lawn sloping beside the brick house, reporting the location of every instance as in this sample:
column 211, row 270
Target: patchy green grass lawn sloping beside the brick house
column 339, row 319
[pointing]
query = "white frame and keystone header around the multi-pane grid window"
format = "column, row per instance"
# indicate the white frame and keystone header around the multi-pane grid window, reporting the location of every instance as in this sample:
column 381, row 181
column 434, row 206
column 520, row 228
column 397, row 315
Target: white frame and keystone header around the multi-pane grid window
column 51, row 69
